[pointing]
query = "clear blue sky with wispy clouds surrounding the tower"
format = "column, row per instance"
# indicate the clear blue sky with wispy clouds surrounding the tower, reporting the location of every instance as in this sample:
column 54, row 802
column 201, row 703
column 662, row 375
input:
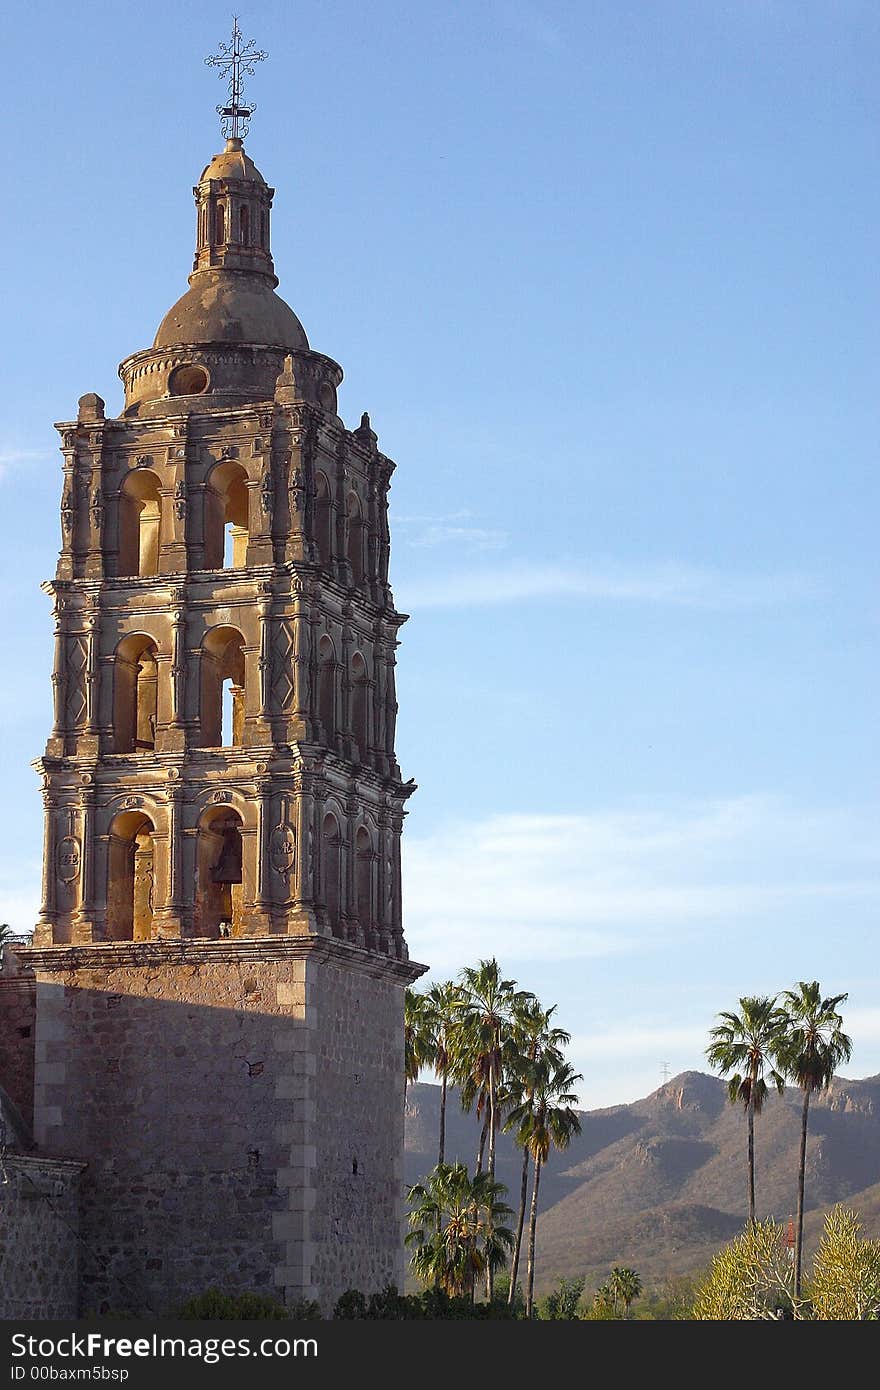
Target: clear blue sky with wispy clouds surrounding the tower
column 605, row 277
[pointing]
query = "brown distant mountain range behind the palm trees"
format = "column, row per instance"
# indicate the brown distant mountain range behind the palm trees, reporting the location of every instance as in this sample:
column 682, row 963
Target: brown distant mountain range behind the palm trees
column 661, row 1184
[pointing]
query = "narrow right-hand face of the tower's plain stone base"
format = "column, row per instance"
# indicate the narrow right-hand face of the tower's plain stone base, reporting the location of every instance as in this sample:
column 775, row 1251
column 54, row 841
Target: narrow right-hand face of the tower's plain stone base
column 359, row 1132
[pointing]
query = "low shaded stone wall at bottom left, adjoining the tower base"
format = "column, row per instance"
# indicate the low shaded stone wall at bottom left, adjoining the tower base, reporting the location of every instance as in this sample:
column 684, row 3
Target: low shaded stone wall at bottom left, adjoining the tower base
column 40, row 1249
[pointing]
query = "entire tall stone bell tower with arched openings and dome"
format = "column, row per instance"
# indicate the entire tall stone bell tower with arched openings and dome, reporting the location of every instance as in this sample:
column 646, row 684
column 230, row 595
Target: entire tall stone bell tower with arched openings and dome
column 220, row 957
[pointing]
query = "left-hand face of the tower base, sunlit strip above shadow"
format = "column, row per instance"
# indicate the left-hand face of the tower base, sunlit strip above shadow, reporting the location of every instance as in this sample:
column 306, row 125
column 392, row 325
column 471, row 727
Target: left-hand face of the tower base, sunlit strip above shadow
column 165, row 1079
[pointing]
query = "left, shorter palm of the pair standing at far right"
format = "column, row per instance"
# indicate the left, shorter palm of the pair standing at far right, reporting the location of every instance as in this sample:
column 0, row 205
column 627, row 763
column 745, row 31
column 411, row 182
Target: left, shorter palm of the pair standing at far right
column 747, row 1045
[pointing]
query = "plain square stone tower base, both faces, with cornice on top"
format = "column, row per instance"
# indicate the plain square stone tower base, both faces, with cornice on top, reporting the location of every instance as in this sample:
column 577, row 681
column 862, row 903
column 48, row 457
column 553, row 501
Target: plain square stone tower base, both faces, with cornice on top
column 240, row 1106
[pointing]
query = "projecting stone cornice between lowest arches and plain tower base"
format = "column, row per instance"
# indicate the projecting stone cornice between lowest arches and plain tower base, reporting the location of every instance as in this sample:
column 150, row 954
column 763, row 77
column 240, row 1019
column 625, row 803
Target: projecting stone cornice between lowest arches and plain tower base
column 113, row 956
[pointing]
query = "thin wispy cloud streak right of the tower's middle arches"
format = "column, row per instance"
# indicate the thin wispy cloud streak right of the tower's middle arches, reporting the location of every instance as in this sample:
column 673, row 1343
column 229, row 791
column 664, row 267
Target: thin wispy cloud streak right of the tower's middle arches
column 671, row 584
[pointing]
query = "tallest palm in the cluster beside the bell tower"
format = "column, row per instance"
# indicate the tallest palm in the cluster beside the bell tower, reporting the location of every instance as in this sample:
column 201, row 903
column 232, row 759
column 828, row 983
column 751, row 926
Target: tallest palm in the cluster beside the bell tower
column 484, row 1011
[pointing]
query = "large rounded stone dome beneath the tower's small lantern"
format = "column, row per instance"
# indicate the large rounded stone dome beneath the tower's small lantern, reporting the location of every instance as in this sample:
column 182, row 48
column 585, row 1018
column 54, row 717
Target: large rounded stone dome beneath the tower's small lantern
column 226, row 306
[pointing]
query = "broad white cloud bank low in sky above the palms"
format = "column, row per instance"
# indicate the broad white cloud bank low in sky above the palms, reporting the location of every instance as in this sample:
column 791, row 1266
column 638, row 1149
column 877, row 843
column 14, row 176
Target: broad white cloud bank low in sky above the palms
column 553, row 889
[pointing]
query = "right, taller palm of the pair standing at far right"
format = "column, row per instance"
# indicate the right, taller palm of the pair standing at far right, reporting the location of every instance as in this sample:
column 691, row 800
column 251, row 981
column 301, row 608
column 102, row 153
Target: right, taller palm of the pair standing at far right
column 815, row 1046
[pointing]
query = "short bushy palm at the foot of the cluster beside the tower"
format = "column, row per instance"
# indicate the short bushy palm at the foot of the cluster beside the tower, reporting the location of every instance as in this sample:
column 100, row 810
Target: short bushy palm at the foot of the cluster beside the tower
column 458, row 1228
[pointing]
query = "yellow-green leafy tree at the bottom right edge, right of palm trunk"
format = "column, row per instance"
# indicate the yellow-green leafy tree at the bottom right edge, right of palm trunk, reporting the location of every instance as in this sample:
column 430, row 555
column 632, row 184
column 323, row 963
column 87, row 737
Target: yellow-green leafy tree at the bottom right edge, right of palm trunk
column 846, row 1279
